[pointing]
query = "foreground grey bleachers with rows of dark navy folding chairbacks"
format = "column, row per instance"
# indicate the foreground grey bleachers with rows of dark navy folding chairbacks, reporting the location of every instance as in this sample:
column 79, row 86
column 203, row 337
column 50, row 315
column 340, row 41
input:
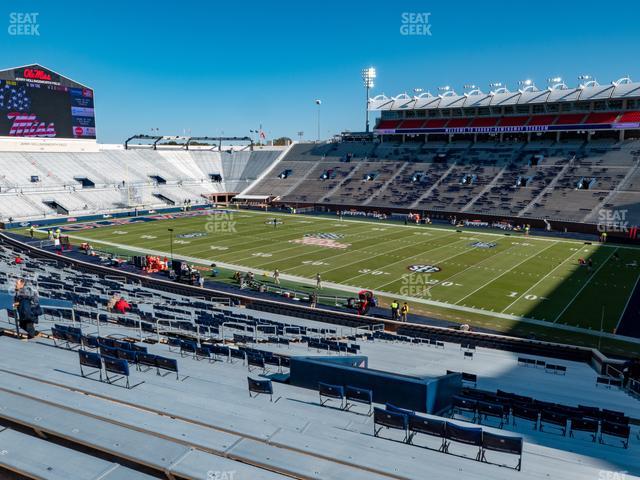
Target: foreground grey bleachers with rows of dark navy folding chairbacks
column 193, row 386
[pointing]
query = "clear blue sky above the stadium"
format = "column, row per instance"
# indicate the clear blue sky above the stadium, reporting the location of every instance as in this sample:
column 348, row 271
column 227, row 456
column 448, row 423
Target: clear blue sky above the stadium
column 207, row 67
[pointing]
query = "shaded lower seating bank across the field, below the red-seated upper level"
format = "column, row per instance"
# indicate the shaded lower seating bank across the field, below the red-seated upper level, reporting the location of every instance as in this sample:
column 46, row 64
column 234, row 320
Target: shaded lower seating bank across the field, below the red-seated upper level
column 564, row 181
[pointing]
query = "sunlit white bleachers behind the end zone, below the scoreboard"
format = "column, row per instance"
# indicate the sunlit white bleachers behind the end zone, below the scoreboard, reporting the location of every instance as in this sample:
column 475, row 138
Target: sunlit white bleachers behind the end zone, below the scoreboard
column 43, row 185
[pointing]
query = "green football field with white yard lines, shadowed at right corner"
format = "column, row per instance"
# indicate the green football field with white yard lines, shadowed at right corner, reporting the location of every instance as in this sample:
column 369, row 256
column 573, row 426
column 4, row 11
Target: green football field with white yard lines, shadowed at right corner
column 511, row 276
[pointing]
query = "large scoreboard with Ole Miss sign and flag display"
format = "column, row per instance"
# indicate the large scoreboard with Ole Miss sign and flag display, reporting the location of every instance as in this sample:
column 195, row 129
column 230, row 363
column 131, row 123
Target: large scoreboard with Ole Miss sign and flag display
column 37, row 103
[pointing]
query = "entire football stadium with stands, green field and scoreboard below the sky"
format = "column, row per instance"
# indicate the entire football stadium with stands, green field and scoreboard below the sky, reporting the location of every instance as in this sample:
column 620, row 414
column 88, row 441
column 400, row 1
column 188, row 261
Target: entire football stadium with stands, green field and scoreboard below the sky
column 450, row 290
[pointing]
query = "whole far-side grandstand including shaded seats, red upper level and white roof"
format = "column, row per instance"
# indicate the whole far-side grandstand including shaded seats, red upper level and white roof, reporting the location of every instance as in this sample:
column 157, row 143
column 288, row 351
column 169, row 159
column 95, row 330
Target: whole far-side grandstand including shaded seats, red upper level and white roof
column 561, row 155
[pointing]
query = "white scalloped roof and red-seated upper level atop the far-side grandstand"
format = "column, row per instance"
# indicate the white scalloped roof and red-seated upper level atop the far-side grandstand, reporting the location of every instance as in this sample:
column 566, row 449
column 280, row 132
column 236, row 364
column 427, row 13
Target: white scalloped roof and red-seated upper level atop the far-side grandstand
column 589, row 108
